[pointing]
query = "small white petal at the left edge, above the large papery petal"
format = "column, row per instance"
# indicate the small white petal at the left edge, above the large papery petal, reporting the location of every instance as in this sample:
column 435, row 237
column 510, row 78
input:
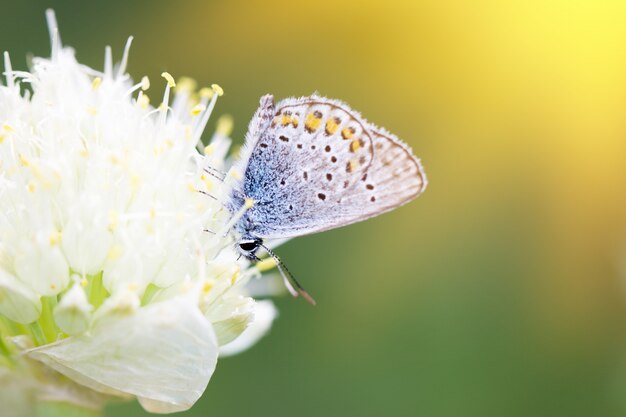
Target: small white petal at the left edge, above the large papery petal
column 17, row 301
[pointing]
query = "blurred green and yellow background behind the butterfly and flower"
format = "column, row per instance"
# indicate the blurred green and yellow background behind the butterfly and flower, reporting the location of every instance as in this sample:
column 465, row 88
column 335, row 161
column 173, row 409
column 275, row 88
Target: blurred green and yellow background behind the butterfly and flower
column 501, row 291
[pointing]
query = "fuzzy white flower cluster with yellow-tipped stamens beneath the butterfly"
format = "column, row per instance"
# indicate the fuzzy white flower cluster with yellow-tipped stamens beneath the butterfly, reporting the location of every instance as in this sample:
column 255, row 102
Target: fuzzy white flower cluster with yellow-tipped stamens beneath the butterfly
column 107, row 276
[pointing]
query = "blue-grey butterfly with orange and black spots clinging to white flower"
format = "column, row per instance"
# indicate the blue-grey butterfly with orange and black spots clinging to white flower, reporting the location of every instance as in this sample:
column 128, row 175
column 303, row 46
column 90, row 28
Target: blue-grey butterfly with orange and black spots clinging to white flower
column 312, row 164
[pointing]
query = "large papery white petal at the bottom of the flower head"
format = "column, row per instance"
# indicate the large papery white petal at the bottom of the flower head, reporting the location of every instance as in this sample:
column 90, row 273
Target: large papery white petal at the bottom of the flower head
column 164, row 353
